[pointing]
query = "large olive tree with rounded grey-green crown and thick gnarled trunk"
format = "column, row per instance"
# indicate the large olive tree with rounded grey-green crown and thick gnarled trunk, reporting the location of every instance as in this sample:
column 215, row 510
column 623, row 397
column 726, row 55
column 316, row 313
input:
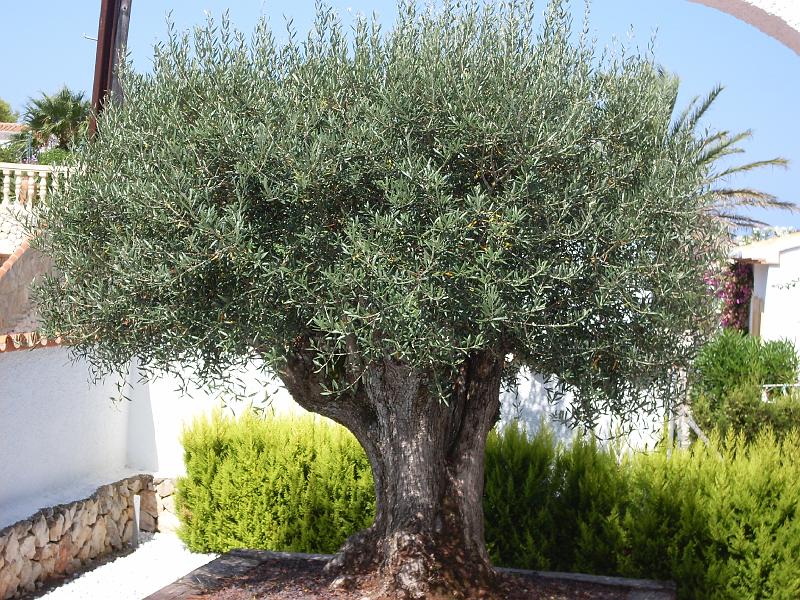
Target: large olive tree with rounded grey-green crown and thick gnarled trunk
column 395, row 222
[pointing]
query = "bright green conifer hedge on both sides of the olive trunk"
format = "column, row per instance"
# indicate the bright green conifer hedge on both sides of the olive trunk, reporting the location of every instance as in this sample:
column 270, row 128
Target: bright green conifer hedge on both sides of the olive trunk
column 722, row 521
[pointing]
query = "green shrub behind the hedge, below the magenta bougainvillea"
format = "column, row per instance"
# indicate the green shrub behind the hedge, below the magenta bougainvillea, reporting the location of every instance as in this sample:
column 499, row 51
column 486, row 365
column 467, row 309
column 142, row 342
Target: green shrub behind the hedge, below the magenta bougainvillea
column 726, row 387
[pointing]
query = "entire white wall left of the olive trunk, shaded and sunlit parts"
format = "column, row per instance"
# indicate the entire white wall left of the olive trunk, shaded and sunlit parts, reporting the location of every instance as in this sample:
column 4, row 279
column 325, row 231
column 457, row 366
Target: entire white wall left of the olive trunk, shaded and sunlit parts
column 61, row 436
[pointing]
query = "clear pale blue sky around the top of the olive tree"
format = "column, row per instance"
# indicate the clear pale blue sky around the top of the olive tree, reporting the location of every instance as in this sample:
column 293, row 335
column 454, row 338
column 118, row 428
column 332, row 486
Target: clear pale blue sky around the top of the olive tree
column 46, row 49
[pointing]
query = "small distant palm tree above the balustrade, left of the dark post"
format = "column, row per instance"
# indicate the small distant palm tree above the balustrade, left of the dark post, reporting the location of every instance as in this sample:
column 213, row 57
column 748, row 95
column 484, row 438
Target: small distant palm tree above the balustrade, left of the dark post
column 62, row 116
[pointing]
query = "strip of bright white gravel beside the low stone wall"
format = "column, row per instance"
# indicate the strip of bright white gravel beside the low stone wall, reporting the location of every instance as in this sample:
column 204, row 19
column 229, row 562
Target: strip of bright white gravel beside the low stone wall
column 156, row 563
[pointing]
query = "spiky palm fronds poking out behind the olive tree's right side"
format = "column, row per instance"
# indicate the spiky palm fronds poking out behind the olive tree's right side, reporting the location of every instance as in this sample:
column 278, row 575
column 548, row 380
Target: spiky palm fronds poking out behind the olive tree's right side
column 724, row 202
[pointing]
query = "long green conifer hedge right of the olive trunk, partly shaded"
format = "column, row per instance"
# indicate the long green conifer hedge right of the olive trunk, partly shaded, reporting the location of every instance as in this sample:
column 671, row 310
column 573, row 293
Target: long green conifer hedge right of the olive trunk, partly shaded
column 721, row 521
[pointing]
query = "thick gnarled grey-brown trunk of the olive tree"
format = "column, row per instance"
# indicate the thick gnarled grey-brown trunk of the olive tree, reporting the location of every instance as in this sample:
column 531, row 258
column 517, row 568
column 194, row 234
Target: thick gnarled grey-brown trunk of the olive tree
column 427, row 460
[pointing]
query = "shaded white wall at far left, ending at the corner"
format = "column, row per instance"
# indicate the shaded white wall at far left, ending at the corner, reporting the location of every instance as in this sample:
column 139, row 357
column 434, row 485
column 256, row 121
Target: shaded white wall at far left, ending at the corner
column 57, row 432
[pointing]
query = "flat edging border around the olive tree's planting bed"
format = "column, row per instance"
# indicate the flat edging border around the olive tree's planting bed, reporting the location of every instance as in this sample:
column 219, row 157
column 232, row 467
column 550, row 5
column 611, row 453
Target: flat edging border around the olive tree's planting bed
column 238, row 562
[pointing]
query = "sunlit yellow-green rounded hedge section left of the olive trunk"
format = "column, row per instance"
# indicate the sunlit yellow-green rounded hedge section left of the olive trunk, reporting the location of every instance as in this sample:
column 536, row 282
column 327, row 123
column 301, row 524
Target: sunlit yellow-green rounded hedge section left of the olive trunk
column 294, row 485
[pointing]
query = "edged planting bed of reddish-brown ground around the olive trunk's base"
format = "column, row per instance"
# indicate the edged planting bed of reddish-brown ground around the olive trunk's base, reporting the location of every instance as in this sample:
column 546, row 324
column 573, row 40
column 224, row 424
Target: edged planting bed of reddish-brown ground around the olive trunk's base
column 248, row 574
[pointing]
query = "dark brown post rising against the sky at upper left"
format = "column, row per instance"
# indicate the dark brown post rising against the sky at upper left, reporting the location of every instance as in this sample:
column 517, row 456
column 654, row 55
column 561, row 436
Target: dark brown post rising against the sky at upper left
column 112, row 36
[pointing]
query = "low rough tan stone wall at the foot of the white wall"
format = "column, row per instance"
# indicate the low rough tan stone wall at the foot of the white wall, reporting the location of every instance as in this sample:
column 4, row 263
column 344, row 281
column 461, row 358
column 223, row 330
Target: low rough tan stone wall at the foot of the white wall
column 62, row 539
